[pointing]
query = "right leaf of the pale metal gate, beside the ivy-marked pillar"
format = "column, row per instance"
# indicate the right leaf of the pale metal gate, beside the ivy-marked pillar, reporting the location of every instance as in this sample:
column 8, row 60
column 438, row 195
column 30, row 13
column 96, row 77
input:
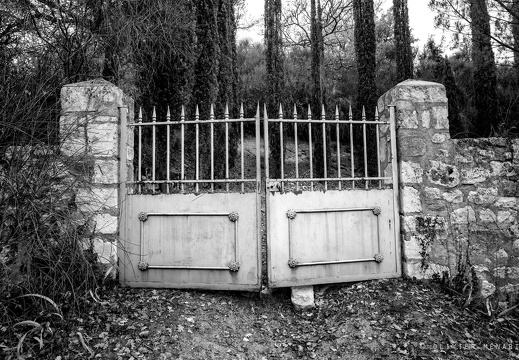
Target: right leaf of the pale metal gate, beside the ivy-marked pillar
column 341, row 226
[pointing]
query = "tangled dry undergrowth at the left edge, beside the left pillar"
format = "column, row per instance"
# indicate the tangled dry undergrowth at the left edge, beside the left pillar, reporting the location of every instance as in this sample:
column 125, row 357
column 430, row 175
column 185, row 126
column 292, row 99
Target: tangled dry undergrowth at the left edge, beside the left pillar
column 48, row 267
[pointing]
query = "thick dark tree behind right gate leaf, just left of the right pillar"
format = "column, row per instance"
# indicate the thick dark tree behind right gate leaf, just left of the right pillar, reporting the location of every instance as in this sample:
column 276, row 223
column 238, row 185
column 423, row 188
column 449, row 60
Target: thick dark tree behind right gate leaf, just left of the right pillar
column 365, row 51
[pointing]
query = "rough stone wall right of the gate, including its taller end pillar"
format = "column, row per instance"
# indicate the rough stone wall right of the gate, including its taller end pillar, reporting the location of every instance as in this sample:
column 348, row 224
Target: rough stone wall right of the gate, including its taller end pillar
column 458, row 198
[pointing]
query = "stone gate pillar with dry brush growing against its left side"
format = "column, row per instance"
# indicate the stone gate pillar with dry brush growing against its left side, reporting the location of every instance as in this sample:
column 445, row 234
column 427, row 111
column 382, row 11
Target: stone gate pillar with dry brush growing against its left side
column 89, row 132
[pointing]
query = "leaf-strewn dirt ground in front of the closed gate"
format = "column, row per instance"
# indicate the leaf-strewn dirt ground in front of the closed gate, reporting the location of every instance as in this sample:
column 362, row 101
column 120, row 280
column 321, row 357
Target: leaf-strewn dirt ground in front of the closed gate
column 383, row 319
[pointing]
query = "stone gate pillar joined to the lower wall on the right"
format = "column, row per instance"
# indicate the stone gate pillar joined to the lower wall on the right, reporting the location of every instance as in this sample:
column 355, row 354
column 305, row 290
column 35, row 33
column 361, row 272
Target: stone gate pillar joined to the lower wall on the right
column 423, row 143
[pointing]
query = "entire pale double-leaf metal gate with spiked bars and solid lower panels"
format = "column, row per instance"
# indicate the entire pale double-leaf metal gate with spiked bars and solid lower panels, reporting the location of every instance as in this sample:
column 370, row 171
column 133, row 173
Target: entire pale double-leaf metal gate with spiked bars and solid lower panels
column 199, row 225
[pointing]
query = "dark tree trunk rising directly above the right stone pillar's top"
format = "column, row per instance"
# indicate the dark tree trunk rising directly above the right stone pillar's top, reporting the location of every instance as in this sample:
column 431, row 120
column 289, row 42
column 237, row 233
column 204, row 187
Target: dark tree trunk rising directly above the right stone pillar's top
column 404, row 55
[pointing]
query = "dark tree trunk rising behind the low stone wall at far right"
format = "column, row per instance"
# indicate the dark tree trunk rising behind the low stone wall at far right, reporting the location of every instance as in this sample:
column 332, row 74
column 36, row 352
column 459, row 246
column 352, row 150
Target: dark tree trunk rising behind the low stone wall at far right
column 485, row 81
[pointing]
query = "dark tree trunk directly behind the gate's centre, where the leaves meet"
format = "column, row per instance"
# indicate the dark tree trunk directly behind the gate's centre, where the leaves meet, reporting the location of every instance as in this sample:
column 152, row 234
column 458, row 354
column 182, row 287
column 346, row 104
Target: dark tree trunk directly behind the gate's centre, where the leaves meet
column 275, row 78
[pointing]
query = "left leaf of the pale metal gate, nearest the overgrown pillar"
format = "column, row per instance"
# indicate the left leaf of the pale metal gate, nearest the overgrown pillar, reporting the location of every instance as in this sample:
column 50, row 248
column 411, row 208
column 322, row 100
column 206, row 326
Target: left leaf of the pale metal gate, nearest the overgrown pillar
column 195, row 226
